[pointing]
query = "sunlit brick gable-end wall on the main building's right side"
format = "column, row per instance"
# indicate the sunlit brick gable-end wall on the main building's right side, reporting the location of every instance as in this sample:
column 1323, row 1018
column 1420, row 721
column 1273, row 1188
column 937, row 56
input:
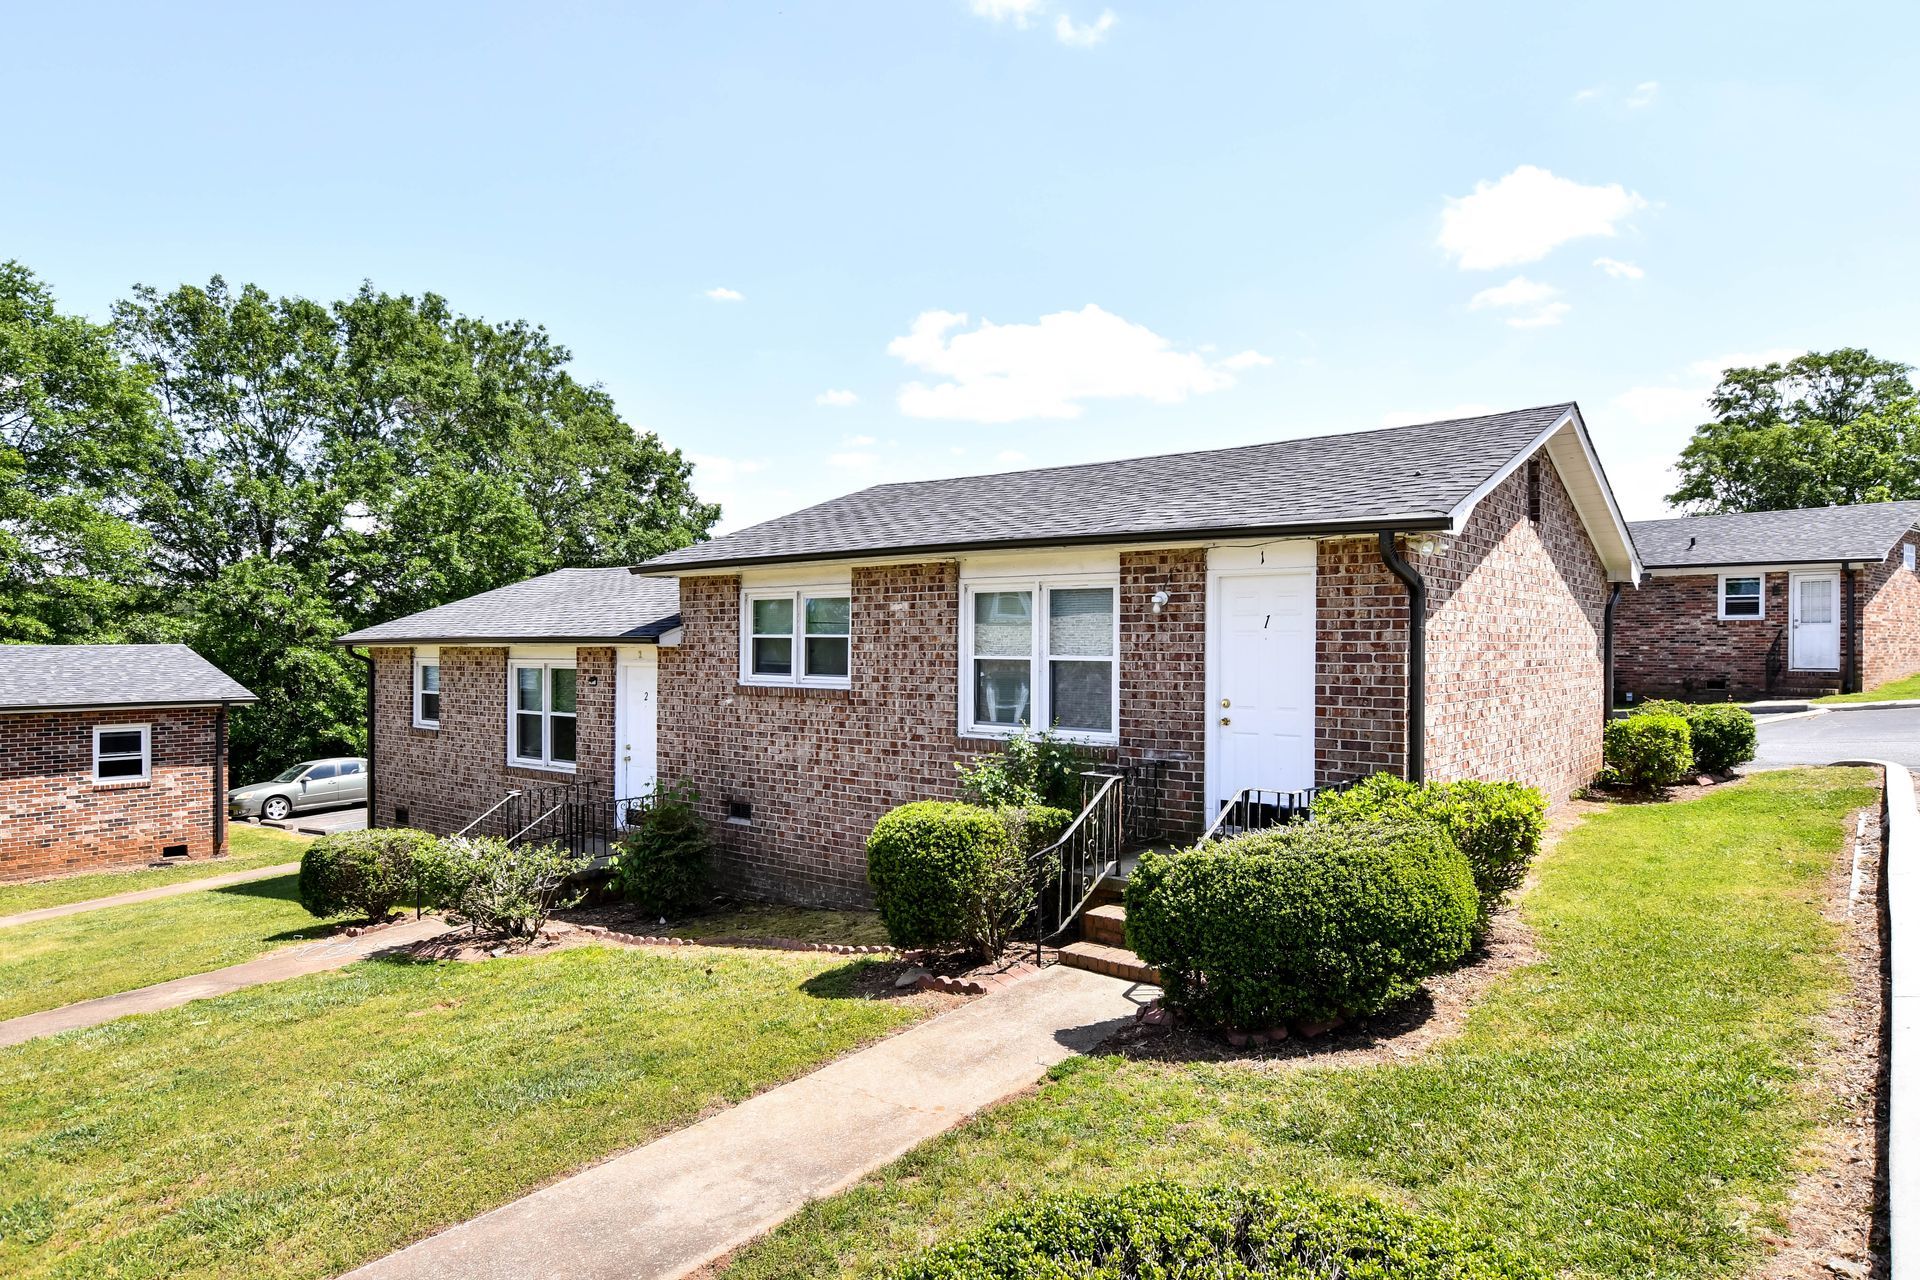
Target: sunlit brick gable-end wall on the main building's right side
column 1514, row 644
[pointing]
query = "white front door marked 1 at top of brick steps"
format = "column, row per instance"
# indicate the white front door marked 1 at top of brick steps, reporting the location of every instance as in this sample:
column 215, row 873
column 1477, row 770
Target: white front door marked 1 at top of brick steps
column 1262, row 690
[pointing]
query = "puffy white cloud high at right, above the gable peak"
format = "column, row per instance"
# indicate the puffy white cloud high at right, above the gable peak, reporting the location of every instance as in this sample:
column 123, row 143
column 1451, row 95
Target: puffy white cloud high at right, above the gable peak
column 1529, row 214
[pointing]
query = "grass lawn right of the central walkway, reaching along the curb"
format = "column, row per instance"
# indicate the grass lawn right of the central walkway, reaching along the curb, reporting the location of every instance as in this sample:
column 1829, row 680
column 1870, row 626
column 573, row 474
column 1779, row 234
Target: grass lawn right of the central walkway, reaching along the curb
column 1629, row 1106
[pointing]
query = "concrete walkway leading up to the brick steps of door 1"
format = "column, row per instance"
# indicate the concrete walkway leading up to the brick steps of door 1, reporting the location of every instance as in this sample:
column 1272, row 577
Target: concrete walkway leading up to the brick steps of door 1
column 684, row 1200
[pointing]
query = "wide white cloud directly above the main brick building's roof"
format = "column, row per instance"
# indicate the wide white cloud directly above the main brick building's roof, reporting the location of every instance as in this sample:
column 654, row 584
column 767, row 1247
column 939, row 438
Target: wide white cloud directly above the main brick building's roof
column 1009, row 373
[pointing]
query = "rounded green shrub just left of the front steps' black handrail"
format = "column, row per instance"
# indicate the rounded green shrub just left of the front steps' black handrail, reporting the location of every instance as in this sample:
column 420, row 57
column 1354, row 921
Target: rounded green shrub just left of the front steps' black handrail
column 948, row 874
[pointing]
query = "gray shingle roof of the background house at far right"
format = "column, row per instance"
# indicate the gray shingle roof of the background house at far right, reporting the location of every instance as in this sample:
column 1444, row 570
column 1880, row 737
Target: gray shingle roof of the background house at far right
column 1806, row 536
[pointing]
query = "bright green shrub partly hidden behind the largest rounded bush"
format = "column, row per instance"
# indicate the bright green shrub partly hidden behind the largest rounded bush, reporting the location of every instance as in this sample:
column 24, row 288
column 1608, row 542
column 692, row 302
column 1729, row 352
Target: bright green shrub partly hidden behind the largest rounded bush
column 1497, row 826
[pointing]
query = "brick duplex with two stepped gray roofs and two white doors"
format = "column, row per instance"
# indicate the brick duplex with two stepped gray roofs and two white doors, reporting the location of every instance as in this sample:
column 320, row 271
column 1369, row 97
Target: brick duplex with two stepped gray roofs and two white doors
column 1239, row 619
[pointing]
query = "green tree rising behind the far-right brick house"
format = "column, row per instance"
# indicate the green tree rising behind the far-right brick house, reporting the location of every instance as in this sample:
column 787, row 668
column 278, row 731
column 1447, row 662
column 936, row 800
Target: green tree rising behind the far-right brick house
column 1823, row 429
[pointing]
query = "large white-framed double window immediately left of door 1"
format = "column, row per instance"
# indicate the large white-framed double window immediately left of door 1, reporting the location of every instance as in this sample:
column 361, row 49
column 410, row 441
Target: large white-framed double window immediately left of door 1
column 1042, row 655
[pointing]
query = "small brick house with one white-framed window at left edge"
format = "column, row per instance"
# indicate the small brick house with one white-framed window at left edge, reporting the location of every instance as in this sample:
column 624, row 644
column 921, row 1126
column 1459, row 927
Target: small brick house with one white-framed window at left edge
column 110, row 755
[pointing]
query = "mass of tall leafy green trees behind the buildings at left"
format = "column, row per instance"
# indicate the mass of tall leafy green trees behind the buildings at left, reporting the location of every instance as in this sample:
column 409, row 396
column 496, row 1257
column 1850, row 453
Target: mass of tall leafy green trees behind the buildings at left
column 260, row 475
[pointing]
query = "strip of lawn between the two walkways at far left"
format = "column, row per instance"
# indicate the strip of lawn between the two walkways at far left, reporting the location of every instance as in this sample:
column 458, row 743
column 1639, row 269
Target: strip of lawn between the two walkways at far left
column 57, row 962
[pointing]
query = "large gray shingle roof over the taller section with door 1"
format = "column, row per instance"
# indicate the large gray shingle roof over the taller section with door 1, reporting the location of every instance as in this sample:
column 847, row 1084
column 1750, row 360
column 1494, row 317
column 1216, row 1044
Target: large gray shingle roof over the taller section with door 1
column 1408, row 475
